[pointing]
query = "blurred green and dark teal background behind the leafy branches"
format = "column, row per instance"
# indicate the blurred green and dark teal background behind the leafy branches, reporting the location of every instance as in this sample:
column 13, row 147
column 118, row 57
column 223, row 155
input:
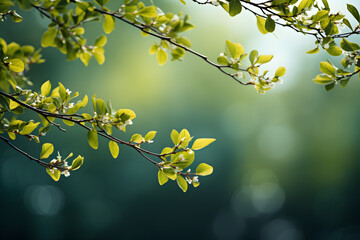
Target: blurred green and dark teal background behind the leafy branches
column 286, row 164
